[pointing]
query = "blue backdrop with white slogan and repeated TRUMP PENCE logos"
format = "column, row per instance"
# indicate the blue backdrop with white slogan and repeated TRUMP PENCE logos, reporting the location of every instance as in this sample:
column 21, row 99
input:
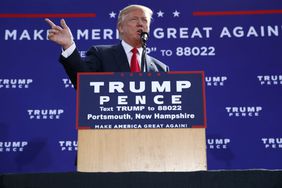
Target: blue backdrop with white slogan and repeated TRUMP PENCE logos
column 237, row 43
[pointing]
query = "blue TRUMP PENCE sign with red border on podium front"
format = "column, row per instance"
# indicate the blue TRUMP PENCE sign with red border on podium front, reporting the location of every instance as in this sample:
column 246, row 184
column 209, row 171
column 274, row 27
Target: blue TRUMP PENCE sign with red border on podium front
column 141, row 100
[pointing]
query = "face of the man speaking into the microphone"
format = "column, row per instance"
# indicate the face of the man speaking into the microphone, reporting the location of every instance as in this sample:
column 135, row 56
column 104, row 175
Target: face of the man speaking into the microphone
column 132, row 25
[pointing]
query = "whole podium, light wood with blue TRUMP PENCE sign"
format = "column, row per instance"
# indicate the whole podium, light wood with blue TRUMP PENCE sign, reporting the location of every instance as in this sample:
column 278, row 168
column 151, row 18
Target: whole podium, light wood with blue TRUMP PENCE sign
column 141, row 122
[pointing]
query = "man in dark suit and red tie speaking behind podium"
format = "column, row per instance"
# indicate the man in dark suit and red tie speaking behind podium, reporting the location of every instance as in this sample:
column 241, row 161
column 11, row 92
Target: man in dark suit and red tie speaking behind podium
column 132, row 21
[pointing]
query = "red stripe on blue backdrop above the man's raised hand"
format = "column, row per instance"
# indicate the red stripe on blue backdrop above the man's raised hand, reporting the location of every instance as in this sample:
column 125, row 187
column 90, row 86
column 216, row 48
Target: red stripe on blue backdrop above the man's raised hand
column 62, row 15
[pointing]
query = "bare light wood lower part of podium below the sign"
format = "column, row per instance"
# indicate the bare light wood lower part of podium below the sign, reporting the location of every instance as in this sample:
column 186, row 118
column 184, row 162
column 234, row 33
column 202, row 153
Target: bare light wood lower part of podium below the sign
column 159, row 150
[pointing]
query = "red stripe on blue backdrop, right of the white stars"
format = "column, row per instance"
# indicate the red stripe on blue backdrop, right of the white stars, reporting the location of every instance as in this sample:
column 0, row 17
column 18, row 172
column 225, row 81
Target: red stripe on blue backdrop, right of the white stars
column 243, row 12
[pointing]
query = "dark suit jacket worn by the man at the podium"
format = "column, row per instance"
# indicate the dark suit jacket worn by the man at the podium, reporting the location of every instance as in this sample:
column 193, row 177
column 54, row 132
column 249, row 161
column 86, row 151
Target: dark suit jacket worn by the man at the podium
column 106, row 58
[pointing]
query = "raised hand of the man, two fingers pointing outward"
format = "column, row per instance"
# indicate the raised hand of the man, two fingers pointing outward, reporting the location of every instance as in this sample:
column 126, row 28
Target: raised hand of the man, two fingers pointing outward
column 60, row 34
